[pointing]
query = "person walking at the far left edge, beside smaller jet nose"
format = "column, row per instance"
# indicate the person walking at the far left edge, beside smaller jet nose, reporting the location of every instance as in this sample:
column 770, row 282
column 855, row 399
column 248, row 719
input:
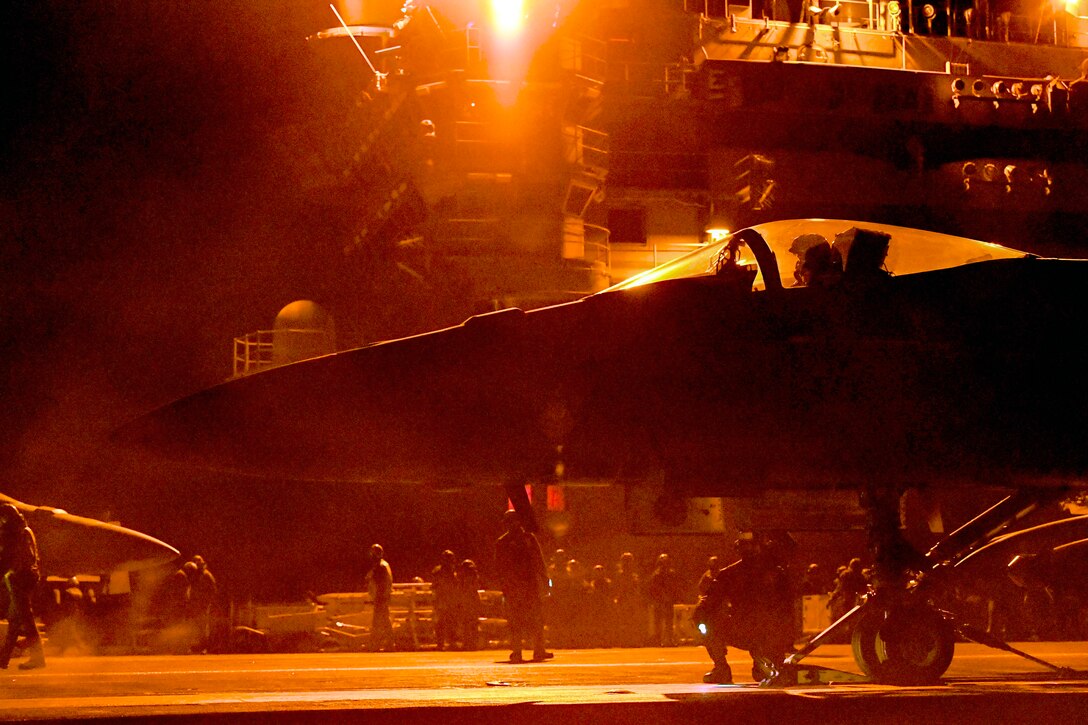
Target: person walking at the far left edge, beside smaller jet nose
column 22, row 570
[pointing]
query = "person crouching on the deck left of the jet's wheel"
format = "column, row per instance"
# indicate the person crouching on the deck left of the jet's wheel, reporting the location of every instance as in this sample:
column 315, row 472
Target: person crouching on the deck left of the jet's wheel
column 750, row 607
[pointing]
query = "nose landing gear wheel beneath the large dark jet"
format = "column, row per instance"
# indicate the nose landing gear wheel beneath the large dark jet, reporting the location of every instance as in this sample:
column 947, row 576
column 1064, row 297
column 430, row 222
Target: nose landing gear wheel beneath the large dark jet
column 909, row 646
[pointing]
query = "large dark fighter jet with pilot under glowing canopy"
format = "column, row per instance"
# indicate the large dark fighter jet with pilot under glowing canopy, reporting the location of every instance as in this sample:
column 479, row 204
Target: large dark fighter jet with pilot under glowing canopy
column 889, row 359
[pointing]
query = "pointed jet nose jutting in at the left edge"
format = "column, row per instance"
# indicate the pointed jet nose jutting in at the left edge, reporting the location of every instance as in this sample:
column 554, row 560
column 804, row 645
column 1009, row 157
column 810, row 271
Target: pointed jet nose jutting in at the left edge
column 71, row 546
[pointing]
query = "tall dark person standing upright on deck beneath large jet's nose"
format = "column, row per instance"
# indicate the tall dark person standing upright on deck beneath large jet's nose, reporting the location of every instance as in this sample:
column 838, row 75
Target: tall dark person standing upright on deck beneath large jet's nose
column 521, row 568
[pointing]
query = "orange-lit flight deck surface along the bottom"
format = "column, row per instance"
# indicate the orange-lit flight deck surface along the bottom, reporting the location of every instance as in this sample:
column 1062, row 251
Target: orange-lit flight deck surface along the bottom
column 612, row 686
